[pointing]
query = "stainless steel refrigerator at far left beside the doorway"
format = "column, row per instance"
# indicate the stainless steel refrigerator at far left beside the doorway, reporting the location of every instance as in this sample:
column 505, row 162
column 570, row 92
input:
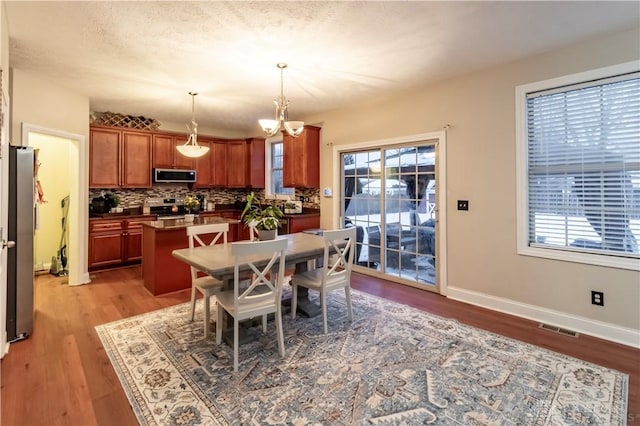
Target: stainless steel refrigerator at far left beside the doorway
column 20, row 271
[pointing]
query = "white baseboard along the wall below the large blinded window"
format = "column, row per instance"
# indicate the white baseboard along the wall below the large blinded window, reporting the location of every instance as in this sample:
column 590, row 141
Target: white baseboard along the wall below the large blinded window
column 602, row 330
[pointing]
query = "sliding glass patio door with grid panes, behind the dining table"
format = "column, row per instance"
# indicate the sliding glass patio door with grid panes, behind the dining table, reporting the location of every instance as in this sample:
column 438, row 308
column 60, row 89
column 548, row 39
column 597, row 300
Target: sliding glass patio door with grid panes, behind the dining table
column 390, row 197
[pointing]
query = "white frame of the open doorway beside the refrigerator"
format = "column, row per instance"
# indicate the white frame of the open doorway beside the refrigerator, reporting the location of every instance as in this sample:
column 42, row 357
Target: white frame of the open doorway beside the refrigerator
column 79, row 196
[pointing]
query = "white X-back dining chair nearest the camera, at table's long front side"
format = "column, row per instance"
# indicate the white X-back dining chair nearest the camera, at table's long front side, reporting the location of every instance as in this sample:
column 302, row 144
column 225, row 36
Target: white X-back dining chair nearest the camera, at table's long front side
column 263, row 293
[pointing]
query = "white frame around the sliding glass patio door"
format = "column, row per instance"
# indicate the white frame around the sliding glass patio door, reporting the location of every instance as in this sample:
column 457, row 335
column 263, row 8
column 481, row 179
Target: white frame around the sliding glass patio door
column 441, row 197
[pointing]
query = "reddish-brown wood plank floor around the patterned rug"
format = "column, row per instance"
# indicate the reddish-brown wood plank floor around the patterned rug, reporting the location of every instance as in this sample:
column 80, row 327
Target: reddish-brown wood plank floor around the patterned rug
column 61, row 374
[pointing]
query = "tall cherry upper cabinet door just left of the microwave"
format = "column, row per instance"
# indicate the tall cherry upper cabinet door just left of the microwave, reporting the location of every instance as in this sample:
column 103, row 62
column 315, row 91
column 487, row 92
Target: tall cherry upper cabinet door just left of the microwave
column 136, row 164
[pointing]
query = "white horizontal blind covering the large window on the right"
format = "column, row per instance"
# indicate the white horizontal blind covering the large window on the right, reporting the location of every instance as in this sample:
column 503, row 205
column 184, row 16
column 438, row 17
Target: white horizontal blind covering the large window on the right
column 583, row 167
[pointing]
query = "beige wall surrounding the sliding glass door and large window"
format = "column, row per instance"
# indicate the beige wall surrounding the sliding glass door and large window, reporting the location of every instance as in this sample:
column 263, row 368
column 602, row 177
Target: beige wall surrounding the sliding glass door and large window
column 483, row 266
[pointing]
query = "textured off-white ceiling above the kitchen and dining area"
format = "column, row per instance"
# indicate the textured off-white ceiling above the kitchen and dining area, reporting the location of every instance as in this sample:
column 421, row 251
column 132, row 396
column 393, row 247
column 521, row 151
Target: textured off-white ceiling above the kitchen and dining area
column 142, row 58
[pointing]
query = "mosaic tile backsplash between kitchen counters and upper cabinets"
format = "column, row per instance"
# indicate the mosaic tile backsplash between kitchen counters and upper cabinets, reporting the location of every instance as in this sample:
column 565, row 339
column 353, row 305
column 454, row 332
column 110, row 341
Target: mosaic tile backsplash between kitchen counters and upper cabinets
column 133, row 198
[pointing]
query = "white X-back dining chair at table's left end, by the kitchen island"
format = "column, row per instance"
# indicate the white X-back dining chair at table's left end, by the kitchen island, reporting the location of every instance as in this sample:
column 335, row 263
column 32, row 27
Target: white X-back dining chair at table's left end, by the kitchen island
column 205, row 284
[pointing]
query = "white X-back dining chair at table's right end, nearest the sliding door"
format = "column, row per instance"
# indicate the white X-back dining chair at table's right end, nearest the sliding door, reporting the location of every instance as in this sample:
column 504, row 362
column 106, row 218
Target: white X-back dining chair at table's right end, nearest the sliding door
column 333, row 275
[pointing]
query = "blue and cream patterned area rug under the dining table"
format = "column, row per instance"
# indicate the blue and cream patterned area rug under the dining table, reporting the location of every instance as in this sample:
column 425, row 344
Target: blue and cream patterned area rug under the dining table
column 393, row 365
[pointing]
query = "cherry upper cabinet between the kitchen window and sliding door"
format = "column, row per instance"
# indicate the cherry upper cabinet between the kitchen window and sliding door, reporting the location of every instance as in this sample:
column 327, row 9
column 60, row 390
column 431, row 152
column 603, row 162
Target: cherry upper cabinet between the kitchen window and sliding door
column 301, row 168
